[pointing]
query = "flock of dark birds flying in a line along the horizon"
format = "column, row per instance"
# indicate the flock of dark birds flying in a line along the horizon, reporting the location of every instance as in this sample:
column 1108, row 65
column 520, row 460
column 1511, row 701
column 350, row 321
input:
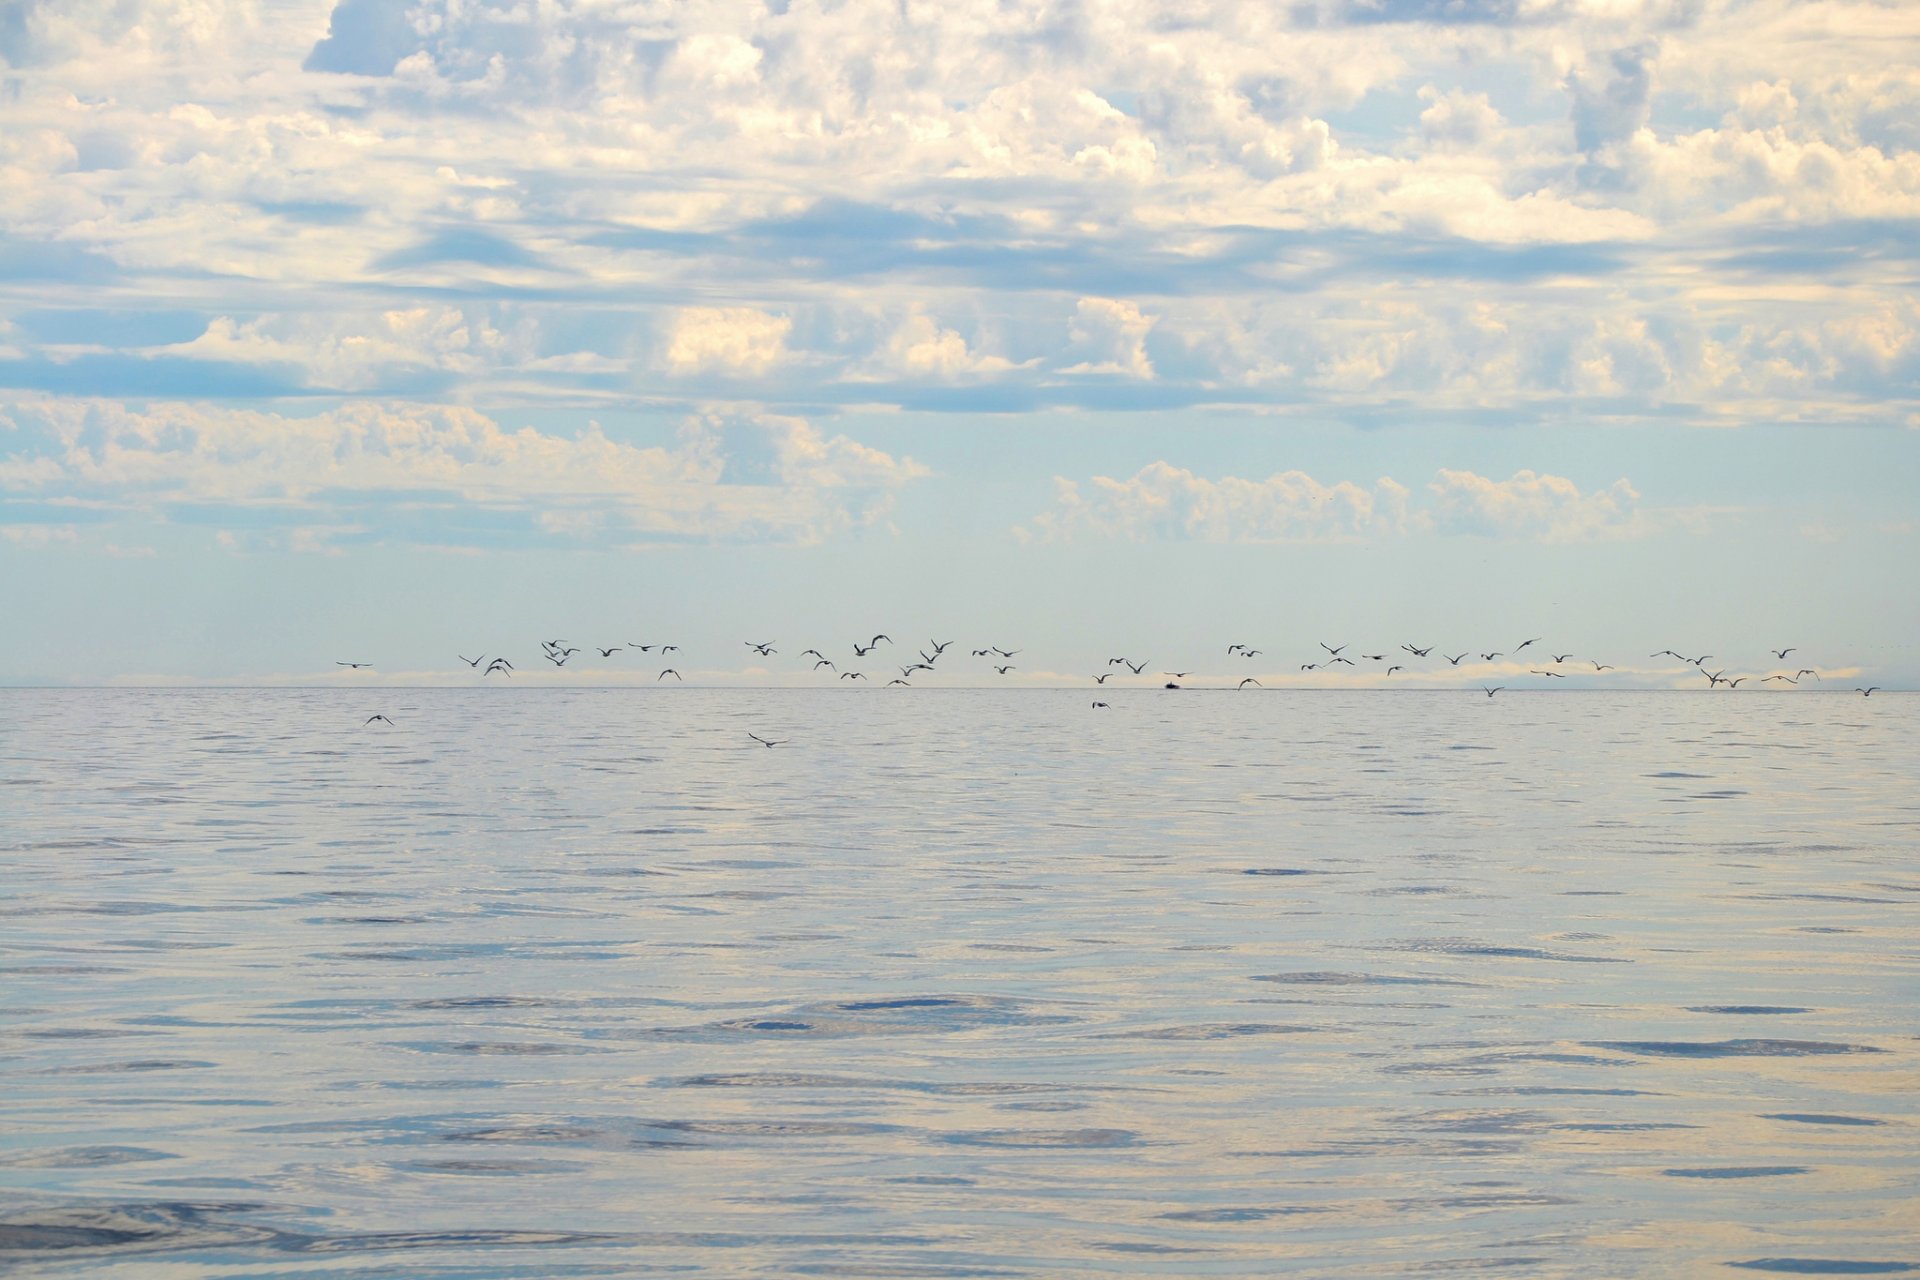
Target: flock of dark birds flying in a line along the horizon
column 560, row 653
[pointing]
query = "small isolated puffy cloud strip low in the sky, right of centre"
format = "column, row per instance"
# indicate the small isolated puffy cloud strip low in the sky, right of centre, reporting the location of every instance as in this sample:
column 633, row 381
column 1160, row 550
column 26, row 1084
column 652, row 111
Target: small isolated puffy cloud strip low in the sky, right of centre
column 1164, row 502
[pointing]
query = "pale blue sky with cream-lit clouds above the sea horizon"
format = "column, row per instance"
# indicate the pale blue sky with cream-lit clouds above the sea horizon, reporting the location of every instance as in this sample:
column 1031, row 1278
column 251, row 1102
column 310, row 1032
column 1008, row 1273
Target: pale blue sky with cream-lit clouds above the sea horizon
column 389, row 333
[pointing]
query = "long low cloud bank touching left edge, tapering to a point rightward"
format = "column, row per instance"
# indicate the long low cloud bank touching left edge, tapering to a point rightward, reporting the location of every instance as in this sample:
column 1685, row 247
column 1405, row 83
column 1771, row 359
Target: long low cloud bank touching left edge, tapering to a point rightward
column 377, row 467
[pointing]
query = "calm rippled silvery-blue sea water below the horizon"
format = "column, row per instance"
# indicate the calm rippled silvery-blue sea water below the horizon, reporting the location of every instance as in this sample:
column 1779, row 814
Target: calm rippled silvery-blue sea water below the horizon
column 548, row 984
